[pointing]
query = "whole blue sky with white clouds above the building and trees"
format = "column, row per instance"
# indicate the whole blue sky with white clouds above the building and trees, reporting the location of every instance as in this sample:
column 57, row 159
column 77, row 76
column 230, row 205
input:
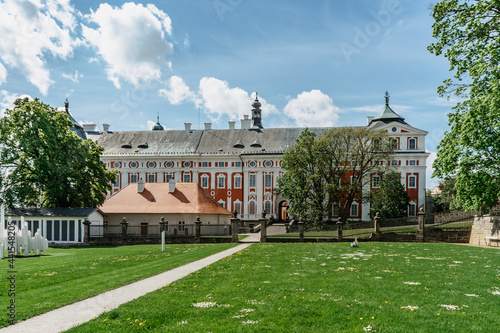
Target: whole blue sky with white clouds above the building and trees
column 313, row 63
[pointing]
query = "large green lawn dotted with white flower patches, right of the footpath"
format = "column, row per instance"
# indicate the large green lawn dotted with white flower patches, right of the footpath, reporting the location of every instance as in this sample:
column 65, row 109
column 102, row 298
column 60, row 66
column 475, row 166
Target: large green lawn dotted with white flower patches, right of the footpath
column 325, row 287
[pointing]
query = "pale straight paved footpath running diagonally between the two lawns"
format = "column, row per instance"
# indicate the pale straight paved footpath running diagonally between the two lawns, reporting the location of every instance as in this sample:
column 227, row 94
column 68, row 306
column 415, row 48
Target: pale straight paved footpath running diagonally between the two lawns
column 71, row 315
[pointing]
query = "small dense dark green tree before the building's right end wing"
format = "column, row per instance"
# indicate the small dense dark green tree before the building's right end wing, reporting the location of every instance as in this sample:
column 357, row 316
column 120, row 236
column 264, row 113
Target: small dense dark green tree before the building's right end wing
column 391, row 199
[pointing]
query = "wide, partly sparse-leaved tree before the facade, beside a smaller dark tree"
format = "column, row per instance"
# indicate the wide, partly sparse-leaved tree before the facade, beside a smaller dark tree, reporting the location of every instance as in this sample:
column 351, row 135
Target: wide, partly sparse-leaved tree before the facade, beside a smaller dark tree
column 331, row 170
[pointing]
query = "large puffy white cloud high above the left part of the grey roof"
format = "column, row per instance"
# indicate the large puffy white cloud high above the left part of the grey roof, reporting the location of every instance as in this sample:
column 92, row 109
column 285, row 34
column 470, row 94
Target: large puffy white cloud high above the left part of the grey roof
column 131, row 40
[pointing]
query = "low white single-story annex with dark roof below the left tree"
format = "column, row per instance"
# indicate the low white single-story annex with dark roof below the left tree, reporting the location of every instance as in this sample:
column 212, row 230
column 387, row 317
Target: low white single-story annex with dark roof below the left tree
column 58, row 225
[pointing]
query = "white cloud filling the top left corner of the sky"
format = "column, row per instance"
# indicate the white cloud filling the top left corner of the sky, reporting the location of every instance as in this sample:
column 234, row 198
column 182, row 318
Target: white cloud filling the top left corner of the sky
column 31, row 29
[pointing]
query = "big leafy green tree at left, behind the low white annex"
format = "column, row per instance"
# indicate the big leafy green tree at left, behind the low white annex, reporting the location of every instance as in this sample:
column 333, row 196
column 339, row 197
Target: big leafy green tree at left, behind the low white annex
column 45, row 164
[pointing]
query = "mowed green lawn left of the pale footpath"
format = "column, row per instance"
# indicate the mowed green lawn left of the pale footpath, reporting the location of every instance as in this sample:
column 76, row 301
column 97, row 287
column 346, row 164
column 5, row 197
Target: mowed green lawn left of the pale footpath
column 62, row 276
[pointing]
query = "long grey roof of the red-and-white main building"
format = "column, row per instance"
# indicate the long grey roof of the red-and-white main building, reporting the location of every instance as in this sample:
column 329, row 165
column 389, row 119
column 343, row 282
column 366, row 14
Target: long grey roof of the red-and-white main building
column 201, row 142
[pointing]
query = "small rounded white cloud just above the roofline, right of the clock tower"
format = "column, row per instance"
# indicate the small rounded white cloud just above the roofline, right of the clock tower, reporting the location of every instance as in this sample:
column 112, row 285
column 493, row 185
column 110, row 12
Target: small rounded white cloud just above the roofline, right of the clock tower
column 312, row 108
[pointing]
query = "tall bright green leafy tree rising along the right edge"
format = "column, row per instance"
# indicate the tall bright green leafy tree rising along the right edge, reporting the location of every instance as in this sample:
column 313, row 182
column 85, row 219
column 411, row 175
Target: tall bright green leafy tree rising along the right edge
column 468, row 35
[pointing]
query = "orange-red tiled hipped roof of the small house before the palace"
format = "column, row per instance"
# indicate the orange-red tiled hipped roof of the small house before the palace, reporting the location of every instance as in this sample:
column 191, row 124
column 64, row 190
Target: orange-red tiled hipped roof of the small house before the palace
column 188, row 198
